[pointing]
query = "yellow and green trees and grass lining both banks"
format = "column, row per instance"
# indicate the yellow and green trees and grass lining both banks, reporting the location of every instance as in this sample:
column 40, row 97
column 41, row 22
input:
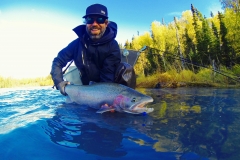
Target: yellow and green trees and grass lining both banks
column 192, row 49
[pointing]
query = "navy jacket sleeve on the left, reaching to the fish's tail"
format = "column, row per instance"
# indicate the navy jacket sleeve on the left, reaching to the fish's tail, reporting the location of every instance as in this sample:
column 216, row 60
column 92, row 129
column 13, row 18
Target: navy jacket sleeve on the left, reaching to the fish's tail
column 63, row 57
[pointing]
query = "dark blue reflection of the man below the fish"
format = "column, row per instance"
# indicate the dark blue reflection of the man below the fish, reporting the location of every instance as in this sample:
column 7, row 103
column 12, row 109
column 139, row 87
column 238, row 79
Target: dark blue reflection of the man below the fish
column 101, row 134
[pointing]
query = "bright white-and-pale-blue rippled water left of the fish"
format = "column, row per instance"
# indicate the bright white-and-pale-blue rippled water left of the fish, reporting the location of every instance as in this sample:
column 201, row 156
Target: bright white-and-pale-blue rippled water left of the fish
column 20, row 107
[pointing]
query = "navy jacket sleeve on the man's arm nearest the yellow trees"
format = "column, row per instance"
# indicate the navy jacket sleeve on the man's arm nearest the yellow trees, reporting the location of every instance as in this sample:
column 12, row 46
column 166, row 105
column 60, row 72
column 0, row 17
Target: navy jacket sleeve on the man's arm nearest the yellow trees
column 111, row 63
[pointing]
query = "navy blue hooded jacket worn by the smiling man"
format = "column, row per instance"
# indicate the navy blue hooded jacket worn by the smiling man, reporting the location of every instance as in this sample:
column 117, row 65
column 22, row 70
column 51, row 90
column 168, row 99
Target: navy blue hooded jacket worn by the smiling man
column 96, row 60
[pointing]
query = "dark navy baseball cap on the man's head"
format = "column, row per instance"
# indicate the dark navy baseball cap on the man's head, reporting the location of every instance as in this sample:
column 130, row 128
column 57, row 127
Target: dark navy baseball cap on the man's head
column 96, row 9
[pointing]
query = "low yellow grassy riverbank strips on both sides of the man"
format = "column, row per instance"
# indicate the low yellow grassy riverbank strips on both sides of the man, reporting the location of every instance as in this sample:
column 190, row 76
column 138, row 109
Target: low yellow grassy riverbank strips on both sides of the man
column 169, row 79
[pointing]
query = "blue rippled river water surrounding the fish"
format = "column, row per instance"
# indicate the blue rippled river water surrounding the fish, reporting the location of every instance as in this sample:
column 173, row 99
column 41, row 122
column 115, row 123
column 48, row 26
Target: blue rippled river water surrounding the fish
column 187, row 124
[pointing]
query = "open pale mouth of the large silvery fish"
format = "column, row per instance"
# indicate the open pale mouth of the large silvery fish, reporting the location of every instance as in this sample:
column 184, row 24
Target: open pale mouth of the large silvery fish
column 140, row 107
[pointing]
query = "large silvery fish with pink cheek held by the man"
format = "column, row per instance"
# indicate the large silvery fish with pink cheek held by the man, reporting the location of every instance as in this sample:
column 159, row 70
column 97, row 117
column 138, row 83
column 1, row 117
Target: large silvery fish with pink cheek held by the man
column 106, row 97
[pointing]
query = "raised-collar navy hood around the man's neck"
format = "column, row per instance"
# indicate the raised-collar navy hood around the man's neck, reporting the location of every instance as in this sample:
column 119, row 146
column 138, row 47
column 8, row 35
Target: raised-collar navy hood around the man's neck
column 110, row 33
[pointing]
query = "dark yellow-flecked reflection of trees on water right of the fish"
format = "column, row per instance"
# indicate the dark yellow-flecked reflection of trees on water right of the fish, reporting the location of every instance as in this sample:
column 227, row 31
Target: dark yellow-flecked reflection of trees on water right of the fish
column 198, row 120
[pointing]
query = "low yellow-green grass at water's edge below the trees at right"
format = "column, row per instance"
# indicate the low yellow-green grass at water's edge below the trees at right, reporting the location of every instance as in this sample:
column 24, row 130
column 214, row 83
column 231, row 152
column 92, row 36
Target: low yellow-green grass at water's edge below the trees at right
column 186, row 78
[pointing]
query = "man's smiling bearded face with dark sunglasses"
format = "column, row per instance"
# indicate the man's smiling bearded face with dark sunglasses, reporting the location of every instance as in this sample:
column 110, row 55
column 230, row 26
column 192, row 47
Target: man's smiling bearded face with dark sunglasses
column 96, row 26
